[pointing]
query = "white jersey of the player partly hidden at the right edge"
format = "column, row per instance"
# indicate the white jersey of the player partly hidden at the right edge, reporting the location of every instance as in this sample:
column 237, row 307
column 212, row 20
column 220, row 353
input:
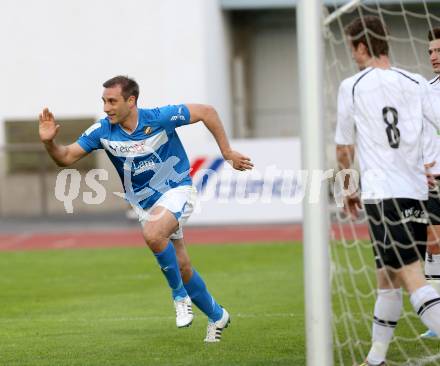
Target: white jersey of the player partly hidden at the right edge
column 432, row 146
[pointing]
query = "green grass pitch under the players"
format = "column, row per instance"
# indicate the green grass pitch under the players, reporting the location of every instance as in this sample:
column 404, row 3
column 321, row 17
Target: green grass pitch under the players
column 99, row 307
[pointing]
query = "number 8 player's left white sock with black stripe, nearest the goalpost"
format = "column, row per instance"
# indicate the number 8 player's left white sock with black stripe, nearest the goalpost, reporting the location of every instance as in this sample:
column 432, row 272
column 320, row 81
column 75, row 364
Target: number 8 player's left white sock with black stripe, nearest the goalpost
column 387, row 312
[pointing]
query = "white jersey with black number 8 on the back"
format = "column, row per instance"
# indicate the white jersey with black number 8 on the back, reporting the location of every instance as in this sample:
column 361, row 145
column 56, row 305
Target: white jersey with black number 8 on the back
column 383, row 112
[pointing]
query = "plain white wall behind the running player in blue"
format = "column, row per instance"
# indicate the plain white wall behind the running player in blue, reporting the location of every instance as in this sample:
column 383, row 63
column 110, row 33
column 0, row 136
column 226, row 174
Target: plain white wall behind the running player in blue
column 57, row 54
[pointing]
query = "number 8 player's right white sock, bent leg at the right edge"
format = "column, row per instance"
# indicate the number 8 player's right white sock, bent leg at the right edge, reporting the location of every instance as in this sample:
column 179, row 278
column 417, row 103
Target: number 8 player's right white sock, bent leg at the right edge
column 426, row 302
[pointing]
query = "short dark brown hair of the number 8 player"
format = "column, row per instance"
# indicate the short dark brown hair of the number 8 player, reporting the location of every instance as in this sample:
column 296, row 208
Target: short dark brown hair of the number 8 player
column 370, row 31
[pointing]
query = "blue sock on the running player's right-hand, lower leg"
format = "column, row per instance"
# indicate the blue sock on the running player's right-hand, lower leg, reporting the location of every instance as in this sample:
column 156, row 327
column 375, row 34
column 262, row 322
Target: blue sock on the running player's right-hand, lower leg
column 200, row 296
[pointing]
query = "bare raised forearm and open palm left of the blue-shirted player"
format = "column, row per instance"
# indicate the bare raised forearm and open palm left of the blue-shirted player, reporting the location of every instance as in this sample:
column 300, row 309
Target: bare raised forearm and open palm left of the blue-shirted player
column 61, row 154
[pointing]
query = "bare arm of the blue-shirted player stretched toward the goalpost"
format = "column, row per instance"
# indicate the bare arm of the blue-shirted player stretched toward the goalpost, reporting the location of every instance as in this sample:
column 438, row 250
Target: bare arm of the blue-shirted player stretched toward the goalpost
column 209, row 116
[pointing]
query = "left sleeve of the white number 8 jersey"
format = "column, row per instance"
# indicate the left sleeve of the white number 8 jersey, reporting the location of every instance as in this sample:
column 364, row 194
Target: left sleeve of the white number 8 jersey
column 345, row 127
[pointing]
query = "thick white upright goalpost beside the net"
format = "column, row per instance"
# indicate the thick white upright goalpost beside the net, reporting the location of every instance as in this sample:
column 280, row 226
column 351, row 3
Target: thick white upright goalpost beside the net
column 315, row 227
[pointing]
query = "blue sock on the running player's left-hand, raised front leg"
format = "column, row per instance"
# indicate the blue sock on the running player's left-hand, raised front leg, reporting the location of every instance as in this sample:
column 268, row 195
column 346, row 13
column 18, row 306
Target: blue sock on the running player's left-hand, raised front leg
column 170, row 268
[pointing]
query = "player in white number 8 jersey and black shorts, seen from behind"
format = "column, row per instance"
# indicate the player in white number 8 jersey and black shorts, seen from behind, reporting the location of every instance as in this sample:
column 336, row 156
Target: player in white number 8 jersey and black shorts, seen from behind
column 382, row 111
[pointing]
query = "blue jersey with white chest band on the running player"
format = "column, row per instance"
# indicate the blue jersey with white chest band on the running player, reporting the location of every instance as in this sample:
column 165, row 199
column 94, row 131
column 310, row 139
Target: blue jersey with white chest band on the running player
column 151, row 160
